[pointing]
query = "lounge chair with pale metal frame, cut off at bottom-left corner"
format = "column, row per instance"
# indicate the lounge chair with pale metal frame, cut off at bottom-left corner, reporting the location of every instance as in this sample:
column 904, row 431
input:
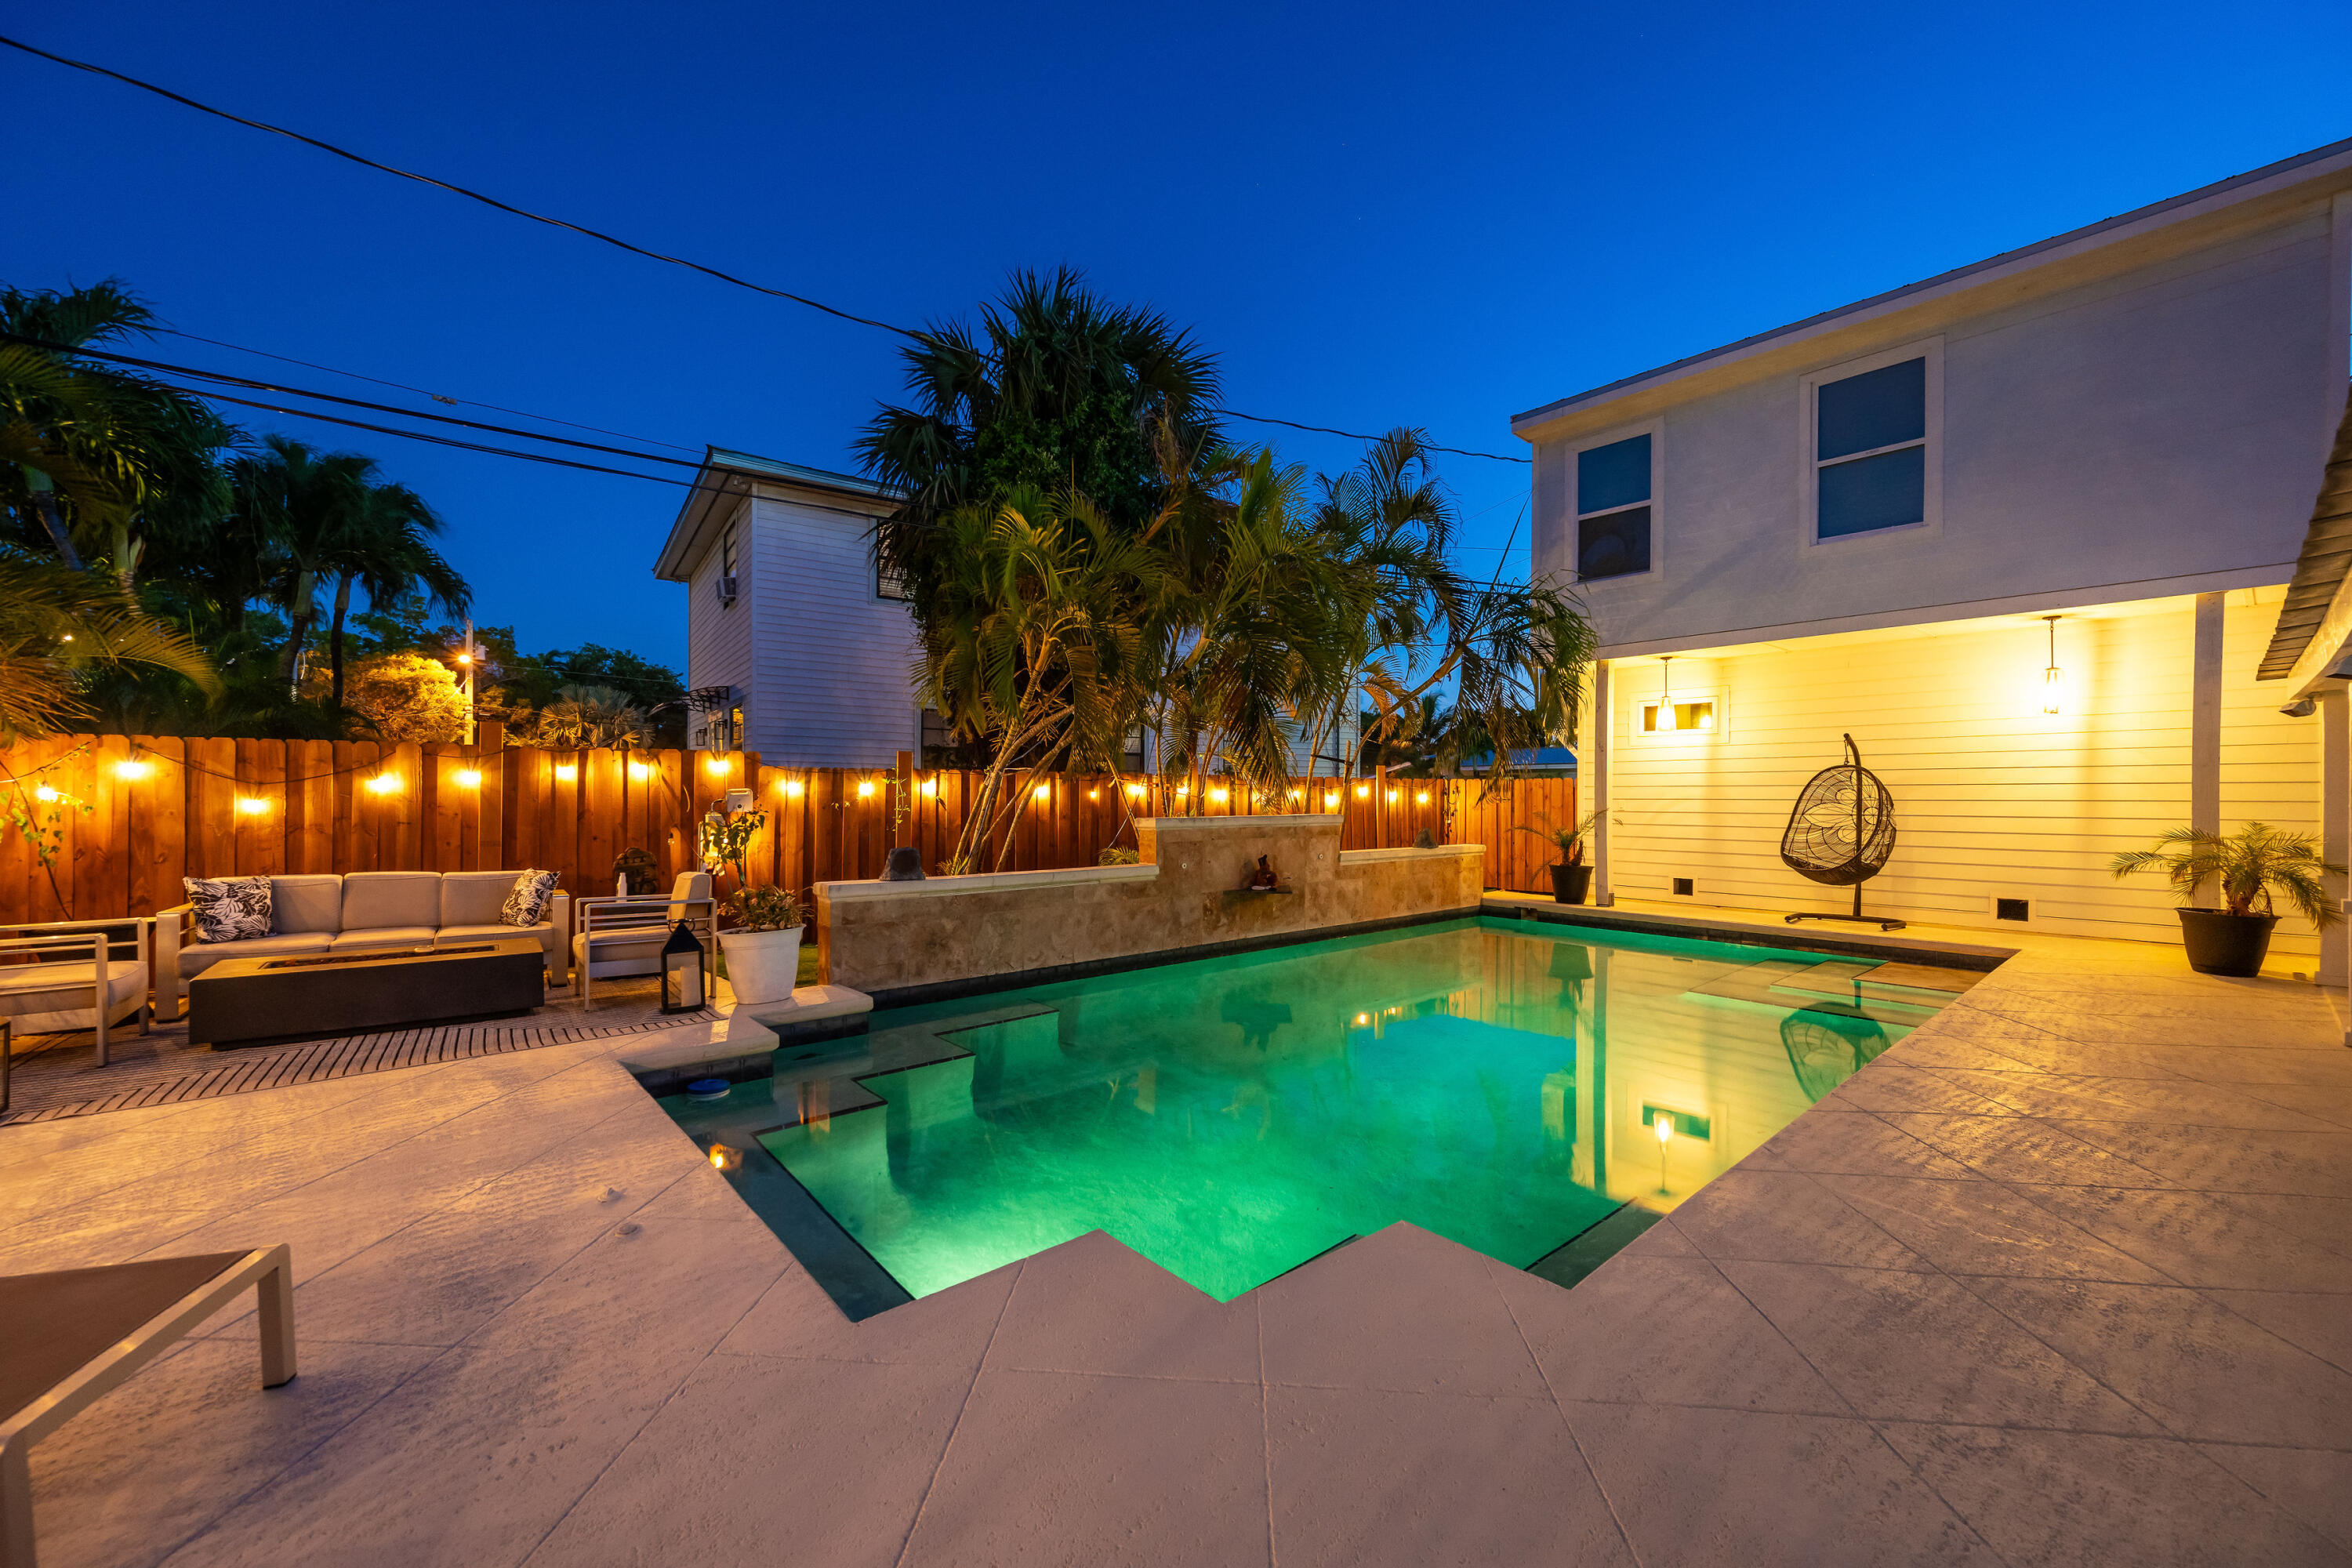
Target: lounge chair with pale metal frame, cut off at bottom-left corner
column 76, row 1334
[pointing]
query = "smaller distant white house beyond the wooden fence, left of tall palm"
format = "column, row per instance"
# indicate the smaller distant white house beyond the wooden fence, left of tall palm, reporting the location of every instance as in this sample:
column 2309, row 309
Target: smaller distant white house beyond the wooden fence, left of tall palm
column 796, row 645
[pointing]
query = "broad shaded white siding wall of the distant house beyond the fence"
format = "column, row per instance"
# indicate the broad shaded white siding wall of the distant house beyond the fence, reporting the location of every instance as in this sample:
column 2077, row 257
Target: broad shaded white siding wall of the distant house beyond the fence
column 834, row 678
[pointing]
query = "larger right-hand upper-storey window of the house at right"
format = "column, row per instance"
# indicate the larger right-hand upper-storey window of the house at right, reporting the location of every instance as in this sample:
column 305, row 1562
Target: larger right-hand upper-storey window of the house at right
column 1871, row 462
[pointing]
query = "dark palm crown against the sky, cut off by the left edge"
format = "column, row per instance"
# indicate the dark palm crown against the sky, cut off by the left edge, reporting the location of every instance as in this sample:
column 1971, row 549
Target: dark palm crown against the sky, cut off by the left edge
column 149, row 448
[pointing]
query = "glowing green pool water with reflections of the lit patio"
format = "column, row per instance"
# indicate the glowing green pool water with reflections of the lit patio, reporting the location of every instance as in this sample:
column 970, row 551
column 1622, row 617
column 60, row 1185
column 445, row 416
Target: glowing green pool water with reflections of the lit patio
column 1497, row 1083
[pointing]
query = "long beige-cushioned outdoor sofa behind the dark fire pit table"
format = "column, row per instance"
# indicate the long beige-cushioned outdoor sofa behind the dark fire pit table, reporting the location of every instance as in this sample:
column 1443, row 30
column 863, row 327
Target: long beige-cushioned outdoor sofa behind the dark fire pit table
column 356, row 913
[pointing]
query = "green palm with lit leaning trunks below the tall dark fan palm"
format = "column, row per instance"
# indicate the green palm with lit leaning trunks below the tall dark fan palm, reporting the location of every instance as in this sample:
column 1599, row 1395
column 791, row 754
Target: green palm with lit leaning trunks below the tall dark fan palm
column 1045, row 652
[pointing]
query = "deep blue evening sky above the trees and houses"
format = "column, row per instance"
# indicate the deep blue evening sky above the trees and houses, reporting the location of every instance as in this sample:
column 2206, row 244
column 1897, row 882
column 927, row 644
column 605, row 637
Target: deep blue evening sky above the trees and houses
column 1377, row 215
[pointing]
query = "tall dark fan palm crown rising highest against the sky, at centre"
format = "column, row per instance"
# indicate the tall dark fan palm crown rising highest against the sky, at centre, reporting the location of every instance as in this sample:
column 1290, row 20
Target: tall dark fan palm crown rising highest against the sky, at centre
column 1055, row 391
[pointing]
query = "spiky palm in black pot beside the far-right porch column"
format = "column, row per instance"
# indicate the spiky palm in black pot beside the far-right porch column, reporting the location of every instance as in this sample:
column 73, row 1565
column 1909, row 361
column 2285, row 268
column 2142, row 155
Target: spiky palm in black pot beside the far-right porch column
column 2245, row 869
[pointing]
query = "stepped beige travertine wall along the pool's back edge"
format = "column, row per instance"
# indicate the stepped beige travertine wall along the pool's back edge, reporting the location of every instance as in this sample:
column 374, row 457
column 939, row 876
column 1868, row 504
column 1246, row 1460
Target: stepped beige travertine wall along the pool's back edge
column 1187, row 892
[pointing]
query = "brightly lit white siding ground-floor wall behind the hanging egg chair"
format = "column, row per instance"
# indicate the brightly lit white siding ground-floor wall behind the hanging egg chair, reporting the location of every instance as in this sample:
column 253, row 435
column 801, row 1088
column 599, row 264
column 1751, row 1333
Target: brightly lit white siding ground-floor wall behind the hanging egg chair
column 1993, row 798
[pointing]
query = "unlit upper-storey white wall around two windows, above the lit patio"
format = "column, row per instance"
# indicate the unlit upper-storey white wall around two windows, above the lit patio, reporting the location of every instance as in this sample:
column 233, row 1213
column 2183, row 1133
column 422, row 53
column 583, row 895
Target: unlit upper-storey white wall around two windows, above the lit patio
column 2141, row 431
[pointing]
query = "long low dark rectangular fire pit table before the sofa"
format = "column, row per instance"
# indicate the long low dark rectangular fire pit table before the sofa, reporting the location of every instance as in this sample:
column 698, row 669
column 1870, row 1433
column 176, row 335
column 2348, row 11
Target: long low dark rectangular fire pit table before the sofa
column 253, row 1003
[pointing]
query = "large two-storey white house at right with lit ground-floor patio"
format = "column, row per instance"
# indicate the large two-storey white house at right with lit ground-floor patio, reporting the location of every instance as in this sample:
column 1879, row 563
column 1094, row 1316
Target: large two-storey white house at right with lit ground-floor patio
column 1892, row 521
